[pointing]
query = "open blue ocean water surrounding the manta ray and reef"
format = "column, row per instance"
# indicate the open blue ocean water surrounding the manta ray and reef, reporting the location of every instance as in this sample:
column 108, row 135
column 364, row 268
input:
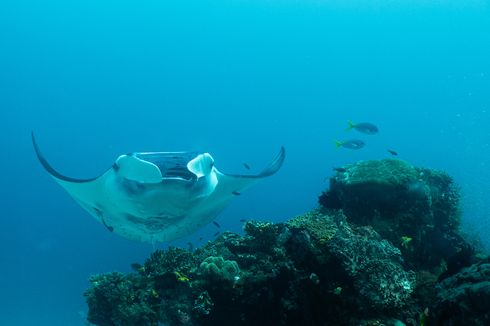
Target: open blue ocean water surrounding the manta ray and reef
column 238, row 79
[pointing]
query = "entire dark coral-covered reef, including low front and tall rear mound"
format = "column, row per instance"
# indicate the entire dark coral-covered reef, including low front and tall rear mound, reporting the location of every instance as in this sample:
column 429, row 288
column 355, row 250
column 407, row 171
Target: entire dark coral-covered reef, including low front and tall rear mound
column 382, row 248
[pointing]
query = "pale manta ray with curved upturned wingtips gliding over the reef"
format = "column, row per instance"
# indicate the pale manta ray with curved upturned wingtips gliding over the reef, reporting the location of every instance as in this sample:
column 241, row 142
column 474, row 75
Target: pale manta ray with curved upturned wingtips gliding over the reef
column 158, row 196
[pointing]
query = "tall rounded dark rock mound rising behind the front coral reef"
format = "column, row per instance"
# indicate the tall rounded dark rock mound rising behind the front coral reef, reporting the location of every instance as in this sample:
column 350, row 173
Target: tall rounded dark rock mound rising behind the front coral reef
column 416, row 209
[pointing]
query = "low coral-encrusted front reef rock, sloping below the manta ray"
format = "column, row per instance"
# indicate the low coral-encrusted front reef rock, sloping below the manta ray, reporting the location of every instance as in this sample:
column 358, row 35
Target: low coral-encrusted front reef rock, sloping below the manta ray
column 292, row 276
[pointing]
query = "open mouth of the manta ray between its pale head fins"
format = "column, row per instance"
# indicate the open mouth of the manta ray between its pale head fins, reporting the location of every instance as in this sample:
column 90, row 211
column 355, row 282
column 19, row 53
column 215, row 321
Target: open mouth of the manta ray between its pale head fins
column 171, row 164
